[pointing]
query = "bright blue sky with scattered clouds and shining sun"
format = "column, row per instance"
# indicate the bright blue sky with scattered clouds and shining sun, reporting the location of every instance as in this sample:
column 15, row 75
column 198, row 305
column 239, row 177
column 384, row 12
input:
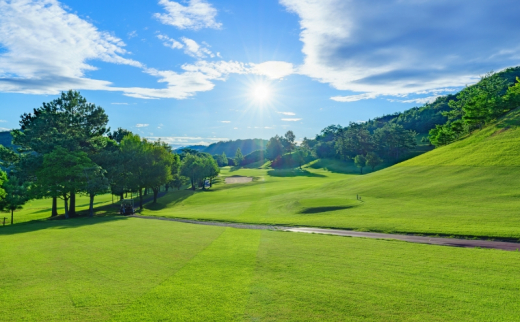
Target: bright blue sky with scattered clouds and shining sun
column 200, row 71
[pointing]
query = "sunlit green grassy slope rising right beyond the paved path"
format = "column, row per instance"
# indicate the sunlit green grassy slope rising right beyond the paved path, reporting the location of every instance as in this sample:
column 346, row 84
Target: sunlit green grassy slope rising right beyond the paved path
column 466, row 189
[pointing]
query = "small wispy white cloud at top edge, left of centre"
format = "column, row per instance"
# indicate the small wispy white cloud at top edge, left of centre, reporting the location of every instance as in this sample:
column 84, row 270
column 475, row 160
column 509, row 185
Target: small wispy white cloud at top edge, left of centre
column 196, row 15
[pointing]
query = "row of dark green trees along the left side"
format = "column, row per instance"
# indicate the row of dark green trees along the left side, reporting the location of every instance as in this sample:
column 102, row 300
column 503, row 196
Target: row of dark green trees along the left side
column 64, row 148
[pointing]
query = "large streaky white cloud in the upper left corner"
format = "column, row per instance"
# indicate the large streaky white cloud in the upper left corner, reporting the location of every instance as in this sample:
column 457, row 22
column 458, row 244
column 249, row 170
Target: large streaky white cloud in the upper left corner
column 43, row 39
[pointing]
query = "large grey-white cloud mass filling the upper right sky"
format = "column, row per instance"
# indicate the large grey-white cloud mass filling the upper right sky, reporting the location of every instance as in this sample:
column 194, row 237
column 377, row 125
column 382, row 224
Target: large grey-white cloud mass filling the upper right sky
column 385, row 47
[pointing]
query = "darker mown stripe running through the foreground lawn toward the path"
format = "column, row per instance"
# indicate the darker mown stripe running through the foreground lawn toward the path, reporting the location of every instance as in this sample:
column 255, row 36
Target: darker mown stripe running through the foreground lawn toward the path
column 213, row 286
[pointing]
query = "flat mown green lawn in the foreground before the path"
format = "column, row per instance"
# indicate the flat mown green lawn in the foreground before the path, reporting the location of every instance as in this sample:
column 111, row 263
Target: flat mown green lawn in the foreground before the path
column 125, row 269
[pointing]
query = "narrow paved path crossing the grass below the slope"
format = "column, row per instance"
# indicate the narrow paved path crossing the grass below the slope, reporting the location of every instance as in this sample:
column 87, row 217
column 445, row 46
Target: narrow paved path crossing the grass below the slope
column 452, row 242
